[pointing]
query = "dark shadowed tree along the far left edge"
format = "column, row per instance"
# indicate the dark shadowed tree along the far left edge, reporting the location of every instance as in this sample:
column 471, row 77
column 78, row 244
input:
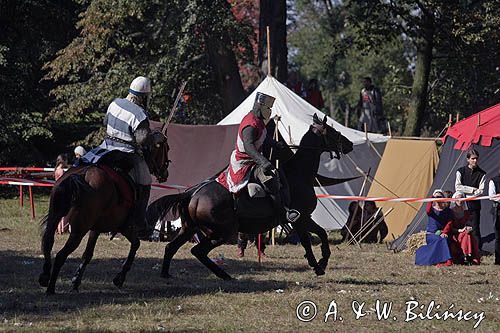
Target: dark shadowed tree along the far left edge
column 31, row 33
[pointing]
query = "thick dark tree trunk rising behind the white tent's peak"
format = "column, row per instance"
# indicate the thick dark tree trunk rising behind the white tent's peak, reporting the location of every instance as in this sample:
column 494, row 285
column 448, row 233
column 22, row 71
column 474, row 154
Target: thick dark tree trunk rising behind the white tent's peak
column 273, row 14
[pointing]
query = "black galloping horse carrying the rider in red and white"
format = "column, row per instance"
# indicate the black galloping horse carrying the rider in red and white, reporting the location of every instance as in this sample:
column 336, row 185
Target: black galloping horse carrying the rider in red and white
column 210, row 206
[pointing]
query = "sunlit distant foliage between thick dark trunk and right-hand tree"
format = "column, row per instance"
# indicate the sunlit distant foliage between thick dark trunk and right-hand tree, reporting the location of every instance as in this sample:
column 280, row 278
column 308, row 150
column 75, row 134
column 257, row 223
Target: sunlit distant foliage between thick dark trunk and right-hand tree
column 324, row 48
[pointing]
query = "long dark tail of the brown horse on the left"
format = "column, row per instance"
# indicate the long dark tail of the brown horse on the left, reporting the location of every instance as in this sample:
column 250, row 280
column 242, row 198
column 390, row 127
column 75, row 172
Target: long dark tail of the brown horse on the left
column 64, row 195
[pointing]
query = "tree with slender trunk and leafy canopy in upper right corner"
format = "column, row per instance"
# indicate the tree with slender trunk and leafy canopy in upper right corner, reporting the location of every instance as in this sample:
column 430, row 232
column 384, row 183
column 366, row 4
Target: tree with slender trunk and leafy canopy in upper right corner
column 430, row 25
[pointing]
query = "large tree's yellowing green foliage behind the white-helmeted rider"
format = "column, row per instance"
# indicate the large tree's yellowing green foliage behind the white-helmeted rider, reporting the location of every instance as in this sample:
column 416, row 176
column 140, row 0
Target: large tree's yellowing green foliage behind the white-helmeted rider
column 164, row 40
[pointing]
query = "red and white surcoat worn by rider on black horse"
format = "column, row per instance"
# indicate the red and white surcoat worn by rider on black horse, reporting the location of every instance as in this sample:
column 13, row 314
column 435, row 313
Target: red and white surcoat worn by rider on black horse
column 236, row 176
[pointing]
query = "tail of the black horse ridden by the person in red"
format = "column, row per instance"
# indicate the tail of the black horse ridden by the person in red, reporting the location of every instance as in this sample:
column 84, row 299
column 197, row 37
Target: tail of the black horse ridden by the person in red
column 171, row 205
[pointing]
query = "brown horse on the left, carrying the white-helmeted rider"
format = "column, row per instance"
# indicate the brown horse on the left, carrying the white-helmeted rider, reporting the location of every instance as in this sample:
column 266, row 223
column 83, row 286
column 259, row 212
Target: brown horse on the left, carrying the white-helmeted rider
column 91, row 201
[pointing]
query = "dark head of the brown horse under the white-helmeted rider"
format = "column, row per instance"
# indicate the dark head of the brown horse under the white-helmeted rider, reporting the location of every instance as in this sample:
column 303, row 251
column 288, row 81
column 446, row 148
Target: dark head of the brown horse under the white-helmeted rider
column 157, row 159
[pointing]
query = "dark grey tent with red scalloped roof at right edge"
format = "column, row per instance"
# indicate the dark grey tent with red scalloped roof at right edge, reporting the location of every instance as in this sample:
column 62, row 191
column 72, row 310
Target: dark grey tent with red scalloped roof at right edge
column 480, row 131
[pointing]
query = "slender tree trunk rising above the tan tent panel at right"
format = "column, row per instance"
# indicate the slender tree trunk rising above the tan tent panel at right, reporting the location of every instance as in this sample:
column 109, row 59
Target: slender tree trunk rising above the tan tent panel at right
column 418, row 102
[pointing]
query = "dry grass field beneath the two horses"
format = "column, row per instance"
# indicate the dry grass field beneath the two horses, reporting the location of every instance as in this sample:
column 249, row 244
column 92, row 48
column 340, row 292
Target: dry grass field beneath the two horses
column 263, row 298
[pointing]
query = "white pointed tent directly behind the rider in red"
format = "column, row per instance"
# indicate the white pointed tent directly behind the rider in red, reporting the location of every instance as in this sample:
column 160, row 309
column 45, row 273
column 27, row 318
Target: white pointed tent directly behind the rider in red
column 296, row 117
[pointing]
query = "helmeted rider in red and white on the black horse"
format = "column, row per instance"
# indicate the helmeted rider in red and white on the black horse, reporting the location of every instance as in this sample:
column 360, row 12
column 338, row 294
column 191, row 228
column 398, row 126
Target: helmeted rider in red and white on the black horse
column 248, row 157
